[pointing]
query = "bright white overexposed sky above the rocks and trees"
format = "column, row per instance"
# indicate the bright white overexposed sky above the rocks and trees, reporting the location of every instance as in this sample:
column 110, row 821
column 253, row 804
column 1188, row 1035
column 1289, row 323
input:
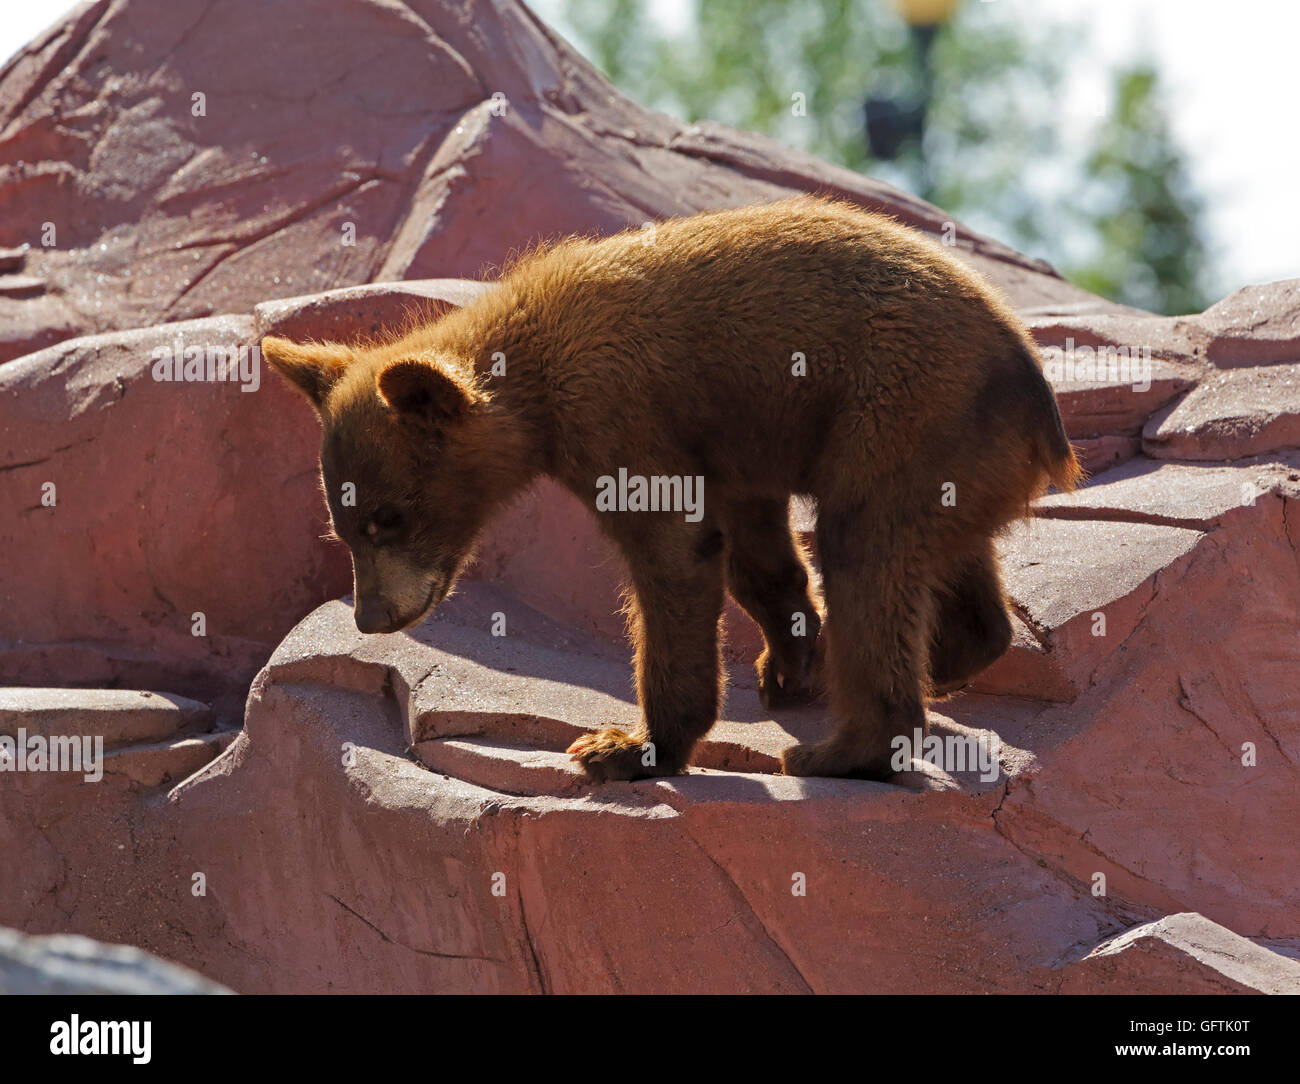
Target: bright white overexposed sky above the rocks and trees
column 1230, row 77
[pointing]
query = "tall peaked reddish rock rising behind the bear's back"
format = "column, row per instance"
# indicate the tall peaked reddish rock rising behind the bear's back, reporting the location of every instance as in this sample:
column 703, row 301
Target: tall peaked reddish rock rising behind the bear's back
column 434, row 142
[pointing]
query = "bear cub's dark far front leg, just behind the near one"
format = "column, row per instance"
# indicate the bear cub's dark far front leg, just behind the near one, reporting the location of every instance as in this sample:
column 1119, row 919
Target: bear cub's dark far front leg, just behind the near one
column 769, row 578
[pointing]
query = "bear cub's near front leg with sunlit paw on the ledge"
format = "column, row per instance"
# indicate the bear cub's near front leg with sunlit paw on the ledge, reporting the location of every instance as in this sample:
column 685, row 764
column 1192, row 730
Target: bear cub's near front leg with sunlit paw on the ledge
column 678, row 579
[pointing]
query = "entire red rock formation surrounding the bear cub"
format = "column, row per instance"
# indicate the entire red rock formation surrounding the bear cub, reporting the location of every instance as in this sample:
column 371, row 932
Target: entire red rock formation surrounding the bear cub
column 397, row 813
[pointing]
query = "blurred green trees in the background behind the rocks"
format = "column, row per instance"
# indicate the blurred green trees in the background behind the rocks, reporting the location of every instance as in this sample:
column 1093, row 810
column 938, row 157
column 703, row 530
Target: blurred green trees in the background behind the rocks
column 1117, row 215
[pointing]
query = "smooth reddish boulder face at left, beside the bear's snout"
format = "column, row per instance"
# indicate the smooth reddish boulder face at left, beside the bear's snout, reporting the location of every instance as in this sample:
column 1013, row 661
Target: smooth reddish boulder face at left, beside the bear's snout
column 140, row 504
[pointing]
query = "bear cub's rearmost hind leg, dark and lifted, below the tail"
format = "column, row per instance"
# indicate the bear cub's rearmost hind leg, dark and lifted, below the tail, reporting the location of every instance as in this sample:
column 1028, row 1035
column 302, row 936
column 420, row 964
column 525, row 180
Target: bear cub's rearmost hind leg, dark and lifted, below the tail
column 972, row 630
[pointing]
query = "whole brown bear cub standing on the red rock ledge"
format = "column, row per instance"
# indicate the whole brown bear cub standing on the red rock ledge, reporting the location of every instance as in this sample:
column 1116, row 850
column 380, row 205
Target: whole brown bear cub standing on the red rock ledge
column 684, row 383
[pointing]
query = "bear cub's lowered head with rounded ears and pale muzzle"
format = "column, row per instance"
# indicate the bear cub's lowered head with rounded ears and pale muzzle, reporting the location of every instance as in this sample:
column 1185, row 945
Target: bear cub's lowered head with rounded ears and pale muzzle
column 411, row 467
